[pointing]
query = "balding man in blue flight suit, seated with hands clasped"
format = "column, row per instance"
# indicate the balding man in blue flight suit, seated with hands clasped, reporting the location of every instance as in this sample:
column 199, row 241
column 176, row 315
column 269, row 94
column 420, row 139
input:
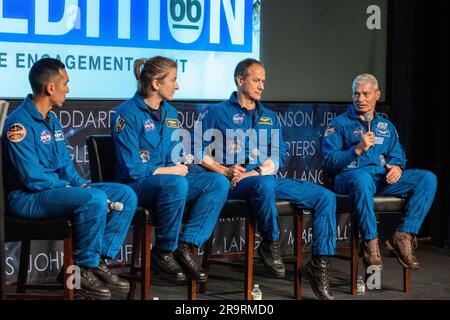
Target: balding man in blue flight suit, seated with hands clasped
column 243, row 140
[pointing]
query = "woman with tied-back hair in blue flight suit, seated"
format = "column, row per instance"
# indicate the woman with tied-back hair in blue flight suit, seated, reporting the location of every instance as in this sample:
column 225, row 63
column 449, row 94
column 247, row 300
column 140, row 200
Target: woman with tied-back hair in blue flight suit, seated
column 144, row 132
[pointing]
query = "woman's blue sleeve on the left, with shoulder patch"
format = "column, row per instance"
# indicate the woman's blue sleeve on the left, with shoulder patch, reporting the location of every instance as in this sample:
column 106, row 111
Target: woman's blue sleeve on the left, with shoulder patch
column 126, row 148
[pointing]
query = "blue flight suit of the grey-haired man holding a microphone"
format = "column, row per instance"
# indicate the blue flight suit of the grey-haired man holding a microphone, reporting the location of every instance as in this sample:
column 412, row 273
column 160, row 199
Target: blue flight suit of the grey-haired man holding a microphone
column 362, row 176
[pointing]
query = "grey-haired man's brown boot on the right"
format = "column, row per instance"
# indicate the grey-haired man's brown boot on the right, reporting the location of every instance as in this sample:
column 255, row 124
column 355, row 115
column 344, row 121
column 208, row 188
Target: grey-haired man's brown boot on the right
column 403, row 244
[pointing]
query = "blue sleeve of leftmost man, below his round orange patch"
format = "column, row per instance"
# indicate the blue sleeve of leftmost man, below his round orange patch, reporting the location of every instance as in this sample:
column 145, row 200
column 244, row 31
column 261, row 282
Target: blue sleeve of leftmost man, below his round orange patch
column 23, row 157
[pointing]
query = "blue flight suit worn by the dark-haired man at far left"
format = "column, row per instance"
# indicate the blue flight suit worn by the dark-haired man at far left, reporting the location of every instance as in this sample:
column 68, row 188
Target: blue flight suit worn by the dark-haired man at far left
column 42, row 182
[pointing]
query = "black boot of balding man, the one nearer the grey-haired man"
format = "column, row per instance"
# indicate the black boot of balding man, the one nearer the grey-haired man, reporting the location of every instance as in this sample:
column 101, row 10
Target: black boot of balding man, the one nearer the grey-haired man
column 316, row 271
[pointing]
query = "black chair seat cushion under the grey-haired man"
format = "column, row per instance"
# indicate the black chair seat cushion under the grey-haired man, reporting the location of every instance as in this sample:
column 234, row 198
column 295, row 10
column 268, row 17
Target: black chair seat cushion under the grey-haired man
column 382, row 204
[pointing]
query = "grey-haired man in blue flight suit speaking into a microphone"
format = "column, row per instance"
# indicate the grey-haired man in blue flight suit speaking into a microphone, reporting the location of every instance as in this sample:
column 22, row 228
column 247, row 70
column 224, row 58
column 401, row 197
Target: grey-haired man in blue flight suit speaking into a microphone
column 363, row 150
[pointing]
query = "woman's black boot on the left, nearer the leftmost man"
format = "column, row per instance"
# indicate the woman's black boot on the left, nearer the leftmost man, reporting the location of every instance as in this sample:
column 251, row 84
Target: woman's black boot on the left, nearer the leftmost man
column 166, row 266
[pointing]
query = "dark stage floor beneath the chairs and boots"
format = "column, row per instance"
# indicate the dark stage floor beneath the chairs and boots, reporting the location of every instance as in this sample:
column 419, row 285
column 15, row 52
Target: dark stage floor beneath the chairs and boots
column 430, row 282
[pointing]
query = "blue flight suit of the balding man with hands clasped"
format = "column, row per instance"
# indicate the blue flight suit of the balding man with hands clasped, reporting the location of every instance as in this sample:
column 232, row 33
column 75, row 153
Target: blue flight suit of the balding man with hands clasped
column 262, row 191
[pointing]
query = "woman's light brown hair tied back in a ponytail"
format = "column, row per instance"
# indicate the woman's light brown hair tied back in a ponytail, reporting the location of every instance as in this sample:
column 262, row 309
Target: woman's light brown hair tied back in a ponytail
column 155, row 68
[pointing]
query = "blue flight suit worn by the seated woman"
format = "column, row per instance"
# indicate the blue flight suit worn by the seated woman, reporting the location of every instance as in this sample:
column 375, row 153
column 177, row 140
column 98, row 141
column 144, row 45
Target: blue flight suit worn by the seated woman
column 143, row 142
